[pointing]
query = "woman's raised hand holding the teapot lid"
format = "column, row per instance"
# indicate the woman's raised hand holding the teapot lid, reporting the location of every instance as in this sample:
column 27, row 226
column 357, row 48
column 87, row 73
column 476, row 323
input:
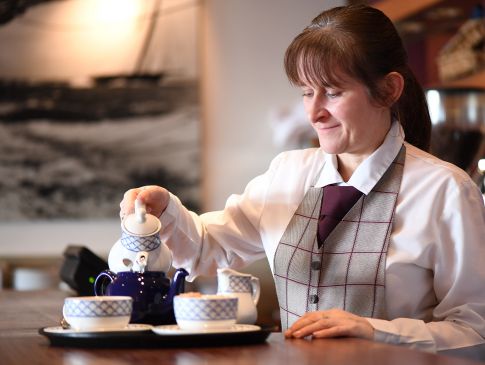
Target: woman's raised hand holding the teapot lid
column 154, row 197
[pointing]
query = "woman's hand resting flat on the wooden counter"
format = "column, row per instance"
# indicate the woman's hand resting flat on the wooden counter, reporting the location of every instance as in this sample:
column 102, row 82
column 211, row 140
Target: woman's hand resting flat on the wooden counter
column 331, row 323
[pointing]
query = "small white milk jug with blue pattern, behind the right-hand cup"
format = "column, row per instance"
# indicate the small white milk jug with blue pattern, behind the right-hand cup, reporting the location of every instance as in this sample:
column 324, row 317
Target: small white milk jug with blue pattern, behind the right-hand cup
column 245, row 287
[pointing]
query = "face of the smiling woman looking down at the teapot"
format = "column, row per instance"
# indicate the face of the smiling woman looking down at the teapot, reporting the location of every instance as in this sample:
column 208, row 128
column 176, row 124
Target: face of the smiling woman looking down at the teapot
column 346, row 120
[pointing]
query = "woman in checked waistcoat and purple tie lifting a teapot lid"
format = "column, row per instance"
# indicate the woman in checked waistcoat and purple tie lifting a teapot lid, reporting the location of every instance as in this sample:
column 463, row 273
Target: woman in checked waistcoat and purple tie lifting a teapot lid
column 402, row 262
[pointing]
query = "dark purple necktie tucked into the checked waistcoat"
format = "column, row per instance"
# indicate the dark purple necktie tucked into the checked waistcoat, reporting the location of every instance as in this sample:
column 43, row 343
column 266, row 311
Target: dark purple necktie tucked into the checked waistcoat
column 336, row 202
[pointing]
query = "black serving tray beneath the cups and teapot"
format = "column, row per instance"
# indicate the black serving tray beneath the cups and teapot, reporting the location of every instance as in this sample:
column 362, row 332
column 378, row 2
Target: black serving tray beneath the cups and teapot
column 149, row 339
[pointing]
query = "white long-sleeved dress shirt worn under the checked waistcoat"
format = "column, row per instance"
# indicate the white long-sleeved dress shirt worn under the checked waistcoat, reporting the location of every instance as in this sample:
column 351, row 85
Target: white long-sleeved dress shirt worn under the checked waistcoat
column 435, row 280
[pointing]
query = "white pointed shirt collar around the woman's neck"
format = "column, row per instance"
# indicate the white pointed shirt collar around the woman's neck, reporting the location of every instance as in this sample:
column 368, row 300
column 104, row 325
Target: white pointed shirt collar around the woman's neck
column 370, row 171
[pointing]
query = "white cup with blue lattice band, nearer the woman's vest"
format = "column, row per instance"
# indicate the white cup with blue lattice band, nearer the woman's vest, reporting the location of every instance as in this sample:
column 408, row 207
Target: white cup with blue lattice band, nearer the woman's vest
column 205, row 312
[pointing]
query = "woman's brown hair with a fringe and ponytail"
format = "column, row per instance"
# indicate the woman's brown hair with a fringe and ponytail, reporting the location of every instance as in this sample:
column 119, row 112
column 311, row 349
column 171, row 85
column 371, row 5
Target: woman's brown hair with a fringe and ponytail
column 363, row 43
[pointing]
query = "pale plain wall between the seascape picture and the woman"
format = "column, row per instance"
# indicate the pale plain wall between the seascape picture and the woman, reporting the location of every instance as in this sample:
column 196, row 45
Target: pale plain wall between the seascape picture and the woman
column 243, row 80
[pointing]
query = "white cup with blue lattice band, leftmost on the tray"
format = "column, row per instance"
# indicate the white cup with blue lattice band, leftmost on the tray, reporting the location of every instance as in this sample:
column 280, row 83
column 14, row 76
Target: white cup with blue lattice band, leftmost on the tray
column 97, row 312
